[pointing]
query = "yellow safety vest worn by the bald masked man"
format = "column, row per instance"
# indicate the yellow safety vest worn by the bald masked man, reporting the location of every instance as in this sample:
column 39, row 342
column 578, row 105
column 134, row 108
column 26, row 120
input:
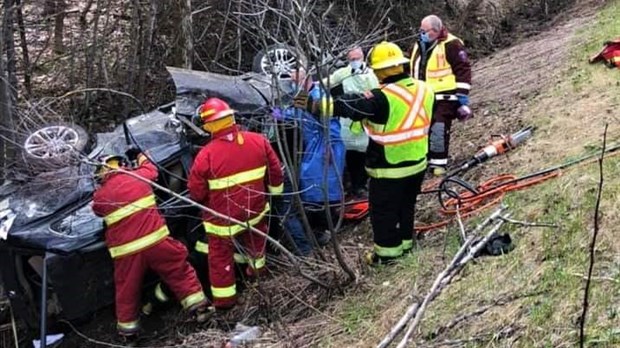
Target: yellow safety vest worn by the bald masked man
column 439, row 74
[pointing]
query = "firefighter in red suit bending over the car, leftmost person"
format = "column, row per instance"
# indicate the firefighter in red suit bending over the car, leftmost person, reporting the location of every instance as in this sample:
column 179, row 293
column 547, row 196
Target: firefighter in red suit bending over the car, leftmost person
column 138, row 240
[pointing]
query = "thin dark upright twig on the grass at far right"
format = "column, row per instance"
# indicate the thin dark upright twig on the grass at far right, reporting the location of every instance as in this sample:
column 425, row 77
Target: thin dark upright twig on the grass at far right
column 586, row 294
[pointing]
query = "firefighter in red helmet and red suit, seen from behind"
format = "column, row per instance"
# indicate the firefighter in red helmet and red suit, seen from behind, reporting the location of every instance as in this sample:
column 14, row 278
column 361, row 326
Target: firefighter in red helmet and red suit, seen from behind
column 233, row 174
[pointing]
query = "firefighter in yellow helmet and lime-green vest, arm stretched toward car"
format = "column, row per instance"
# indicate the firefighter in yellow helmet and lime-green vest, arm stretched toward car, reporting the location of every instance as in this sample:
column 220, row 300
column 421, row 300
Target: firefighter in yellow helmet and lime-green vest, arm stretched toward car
column 396, row 117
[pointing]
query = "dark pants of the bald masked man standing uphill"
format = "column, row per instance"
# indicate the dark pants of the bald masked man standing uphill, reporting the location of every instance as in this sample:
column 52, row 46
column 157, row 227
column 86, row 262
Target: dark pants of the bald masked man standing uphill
column 439, row 139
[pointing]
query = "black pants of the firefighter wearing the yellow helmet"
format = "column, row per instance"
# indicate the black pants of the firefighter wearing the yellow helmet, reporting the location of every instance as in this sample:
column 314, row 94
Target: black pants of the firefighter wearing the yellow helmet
column 392, row 210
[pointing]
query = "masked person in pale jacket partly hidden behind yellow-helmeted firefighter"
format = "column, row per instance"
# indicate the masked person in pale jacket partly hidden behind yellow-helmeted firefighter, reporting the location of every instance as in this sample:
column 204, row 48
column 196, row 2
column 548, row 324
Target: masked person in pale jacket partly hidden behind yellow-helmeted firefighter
column 356, row 77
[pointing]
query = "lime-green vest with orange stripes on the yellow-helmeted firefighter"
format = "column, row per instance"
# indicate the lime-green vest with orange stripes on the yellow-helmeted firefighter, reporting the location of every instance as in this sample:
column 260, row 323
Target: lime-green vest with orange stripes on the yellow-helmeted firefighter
column 405, row 135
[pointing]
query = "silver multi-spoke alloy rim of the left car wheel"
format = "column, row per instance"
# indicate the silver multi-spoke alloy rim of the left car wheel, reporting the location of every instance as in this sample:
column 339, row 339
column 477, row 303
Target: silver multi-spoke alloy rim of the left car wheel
column 51, row 142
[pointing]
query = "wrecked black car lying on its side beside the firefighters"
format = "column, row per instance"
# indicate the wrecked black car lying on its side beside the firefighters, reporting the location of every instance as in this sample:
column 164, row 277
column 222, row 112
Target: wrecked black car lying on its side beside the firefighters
column 47, row 227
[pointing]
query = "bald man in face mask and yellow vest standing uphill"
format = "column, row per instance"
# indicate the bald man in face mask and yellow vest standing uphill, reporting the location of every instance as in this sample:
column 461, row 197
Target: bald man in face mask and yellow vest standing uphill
column 440, row 59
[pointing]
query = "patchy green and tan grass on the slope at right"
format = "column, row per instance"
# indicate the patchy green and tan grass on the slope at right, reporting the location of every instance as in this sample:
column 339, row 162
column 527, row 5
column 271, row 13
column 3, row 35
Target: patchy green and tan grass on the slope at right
column 570, row 118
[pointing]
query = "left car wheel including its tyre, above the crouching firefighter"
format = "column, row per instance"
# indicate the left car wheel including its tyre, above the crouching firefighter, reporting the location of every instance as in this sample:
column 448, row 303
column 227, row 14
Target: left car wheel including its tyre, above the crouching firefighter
column 54, row 146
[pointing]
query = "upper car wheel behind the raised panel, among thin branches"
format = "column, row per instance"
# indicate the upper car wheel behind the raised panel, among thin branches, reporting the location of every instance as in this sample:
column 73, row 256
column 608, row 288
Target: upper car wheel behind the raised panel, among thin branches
column 278, row 60
